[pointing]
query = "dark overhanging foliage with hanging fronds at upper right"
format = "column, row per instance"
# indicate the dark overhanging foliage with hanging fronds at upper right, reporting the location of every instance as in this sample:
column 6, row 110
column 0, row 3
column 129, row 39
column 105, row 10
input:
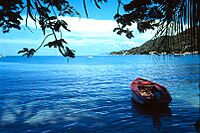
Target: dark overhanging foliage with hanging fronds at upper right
column 168, row 16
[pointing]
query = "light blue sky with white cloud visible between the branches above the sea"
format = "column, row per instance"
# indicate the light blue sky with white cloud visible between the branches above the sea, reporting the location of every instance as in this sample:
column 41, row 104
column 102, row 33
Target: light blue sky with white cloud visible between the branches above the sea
column 88, row 36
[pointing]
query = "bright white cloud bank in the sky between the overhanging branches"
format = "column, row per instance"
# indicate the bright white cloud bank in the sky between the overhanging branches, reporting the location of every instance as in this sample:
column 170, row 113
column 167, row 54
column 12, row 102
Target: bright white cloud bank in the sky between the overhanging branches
column 102, row 30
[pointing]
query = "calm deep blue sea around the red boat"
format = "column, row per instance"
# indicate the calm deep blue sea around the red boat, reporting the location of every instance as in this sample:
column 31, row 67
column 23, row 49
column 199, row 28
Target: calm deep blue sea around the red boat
column 92, row 95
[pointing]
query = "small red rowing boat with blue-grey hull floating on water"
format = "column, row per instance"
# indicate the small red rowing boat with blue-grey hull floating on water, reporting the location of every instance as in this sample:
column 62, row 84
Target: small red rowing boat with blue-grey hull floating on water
column 147, row 92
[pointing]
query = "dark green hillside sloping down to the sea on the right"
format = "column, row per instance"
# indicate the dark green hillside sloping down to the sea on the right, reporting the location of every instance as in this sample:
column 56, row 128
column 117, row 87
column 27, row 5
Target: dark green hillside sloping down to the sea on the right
column 180, row 43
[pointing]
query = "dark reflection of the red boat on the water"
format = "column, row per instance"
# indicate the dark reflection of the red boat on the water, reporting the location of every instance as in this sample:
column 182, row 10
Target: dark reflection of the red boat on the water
column 155, row 111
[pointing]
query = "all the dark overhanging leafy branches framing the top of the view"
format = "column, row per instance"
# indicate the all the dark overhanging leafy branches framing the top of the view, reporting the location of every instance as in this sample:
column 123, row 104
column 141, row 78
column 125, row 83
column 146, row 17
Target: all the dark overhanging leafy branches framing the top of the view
column 167, row 16
